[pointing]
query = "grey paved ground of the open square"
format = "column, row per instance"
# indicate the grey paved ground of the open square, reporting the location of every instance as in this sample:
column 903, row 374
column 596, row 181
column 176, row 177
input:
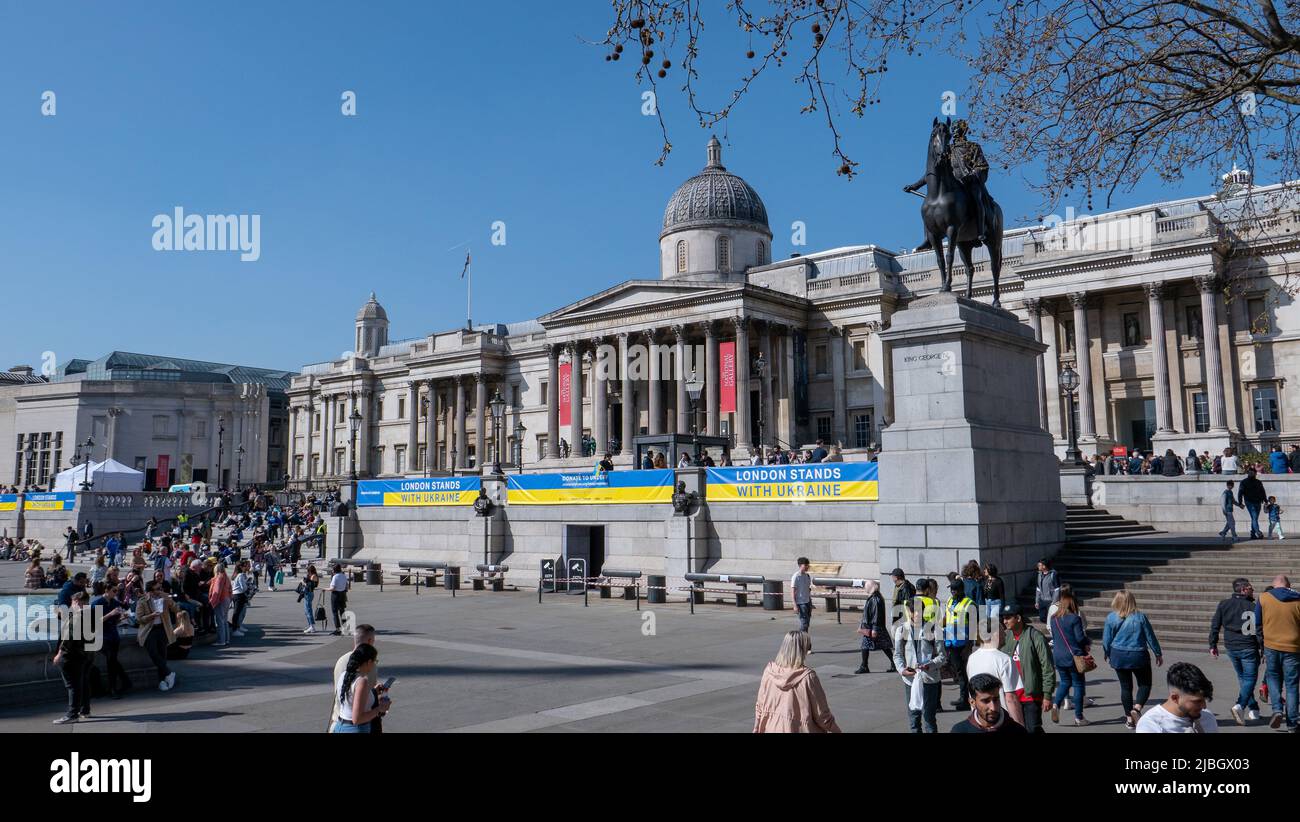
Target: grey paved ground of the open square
column 504, row 663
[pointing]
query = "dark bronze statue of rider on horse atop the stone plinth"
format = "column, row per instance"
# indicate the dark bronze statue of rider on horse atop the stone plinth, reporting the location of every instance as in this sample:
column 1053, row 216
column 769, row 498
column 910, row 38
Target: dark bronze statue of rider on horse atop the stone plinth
column 957, row 206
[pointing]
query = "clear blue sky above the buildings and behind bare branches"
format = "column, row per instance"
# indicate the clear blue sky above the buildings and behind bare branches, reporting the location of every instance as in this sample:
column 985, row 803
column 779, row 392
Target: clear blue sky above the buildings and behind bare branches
column 465, row 116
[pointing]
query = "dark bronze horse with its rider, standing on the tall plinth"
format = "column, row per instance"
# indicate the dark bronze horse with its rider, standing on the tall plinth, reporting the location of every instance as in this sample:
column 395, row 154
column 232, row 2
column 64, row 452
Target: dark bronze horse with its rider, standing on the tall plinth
column 954, row 214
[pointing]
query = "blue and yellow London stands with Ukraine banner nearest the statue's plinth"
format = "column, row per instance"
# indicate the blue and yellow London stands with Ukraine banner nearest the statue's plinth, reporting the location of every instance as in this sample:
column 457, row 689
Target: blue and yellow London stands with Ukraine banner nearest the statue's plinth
column 813, row 483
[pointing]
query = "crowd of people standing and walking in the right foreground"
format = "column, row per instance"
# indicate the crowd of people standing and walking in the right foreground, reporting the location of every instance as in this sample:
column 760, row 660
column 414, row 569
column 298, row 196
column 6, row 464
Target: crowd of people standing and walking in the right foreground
column 1011, row 673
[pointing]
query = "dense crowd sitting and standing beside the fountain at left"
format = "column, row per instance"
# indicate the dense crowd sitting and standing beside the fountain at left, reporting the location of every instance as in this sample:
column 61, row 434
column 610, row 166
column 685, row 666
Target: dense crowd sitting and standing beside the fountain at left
column 194, row 578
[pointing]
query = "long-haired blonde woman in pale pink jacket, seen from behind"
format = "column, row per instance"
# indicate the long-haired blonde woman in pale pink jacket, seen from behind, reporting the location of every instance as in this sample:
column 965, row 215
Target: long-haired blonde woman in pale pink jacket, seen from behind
column 791, row 699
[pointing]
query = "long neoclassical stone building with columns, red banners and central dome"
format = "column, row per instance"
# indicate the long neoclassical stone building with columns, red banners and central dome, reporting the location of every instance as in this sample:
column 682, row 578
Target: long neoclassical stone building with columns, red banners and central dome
column 1176, row 344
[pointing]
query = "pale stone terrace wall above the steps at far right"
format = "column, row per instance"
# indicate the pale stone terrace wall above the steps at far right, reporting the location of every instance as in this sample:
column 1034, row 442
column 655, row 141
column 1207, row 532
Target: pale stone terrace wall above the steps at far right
column 1190, row 504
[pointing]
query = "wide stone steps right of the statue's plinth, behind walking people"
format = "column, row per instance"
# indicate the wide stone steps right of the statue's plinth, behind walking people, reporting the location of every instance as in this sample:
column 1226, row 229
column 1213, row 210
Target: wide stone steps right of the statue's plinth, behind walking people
column 1177, row 581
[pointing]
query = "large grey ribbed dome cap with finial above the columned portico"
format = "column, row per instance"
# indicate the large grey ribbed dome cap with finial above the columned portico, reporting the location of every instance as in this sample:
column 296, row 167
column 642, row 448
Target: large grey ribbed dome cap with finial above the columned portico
column 716, row 198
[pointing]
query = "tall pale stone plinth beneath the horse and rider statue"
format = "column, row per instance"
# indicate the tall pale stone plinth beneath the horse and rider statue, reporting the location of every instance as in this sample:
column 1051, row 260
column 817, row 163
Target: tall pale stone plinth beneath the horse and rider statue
column 967, row 470
